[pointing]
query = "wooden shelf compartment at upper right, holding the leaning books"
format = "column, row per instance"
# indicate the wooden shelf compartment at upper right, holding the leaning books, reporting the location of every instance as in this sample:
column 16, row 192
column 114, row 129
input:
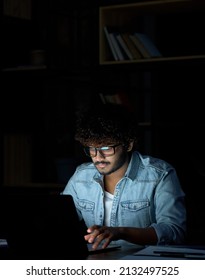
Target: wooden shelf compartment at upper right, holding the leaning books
column 149, row 17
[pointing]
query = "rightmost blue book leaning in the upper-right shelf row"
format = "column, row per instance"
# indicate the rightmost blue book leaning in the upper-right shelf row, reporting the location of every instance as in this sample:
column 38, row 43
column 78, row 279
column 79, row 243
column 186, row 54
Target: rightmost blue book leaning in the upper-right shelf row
column 148, row 44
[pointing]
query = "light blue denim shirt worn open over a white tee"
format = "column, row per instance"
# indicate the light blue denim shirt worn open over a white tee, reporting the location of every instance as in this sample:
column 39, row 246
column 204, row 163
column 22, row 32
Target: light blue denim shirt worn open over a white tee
column 149, row 195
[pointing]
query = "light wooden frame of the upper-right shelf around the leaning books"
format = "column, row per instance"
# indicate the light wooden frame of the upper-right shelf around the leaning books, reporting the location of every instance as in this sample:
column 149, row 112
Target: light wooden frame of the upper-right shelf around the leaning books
column 126, row 16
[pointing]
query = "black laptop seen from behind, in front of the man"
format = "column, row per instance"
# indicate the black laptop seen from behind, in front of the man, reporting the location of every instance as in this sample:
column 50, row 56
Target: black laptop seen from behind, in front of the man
column 42, row 226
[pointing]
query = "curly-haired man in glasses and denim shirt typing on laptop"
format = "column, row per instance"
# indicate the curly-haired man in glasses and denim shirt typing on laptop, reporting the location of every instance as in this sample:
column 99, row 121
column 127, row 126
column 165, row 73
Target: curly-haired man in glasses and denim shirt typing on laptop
column 122, row 195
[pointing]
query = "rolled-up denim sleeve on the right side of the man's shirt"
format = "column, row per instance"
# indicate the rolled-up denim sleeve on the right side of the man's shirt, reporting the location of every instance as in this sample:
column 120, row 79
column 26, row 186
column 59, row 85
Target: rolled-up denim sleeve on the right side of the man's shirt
column 170, row 208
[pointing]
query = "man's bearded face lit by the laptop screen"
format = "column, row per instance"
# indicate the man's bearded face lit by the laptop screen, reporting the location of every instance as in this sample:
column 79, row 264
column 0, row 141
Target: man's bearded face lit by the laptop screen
column 110, row 164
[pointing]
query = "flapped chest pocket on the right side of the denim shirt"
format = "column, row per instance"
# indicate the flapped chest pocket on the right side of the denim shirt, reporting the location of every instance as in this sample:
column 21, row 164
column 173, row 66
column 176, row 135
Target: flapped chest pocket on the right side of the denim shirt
column 135, row 213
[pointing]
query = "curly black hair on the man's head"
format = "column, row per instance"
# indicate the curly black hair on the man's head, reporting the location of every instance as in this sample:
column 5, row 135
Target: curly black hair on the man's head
column 105, row 125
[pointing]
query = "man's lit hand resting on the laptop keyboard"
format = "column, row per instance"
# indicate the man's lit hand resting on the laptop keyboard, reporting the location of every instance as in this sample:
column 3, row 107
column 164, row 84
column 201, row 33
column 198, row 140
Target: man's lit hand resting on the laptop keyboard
column 97, row 234
